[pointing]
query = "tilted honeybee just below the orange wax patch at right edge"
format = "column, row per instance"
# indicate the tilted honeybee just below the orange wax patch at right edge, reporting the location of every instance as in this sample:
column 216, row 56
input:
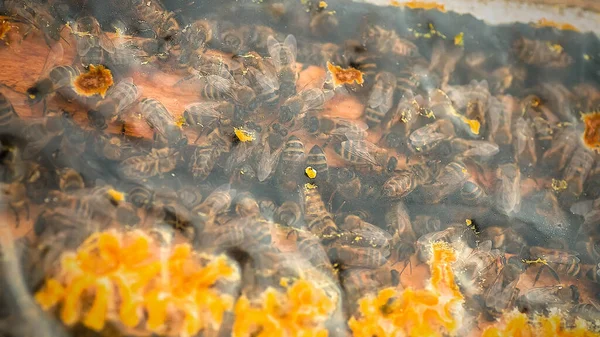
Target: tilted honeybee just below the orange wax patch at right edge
column 577, row 171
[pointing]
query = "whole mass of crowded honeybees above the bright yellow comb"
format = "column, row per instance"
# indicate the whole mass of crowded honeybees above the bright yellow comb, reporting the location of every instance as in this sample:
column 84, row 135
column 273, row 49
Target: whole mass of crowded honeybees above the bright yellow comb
column 494, row 153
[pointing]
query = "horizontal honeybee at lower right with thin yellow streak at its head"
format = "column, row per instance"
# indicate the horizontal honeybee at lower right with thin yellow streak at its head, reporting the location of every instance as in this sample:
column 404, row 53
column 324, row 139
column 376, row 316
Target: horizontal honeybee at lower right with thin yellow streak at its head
column 558, row 262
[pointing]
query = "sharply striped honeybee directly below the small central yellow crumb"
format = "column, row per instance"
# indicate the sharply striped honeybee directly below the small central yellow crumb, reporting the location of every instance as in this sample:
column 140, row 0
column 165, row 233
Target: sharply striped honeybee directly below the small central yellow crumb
column 318, row 220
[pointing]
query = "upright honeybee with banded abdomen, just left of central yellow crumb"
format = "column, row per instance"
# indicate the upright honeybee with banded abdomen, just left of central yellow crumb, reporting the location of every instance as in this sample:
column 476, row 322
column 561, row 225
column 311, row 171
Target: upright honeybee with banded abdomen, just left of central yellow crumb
column 291, row 163
